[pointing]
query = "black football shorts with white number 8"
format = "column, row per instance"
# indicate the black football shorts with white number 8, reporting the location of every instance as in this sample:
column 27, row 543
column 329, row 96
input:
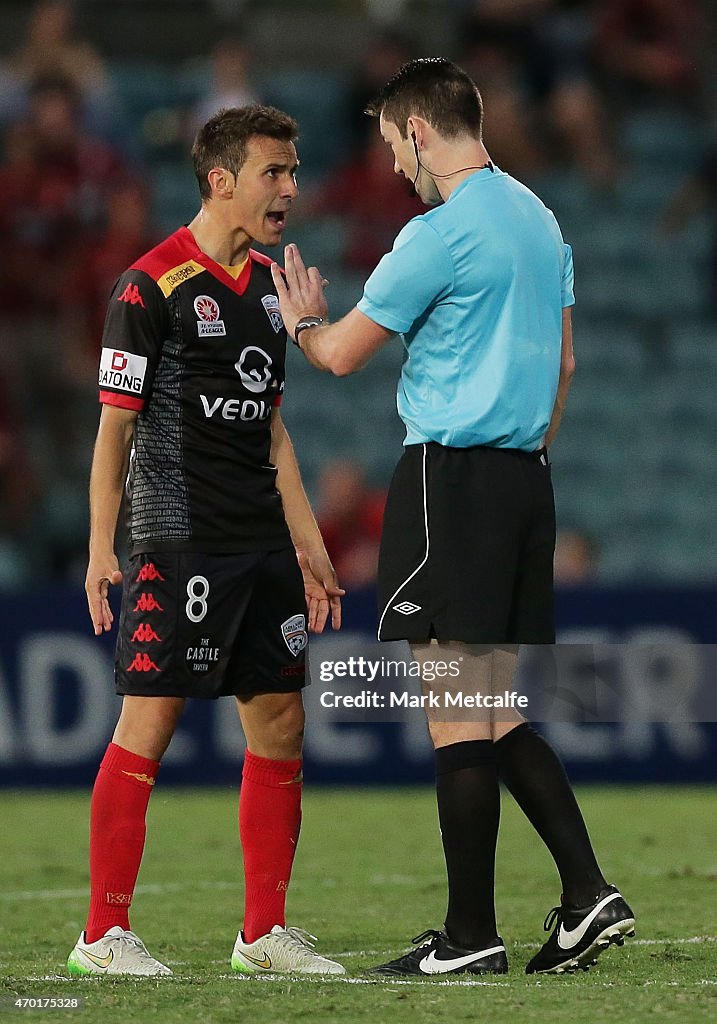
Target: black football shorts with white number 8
column 208, row 626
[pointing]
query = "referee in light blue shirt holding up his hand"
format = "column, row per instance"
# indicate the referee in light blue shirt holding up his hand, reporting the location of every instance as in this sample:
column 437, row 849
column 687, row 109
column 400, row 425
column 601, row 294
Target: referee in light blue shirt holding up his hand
column 481, row 289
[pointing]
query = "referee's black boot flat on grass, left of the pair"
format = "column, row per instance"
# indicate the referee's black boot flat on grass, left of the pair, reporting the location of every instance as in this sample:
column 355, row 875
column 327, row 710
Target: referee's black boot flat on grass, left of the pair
column 437, row 955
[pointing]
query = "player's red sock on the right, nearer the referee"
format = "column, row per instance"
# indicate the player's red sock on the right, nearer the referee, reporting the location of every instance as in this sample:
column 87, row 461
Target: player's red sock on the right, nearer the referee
column 270, row 819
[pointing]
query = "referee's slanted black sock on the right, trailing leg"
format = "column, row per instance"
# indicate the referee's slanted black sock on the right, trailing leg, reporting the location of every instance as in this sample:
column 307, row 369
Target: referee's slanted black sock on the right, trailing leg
column 534, row 774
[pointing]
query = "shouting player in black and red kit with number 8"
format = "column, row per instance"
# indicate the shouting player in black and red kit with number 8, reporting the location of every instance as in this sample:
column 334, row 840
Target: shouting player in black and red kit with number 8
column 228, row 570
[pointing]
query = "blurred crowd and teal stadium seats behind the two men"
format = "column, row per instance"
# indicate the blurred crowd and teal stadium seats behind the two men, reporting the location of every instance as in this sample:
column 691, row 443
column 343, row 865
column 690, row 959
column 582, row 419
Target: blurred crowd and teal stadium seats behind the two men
column 608, row 110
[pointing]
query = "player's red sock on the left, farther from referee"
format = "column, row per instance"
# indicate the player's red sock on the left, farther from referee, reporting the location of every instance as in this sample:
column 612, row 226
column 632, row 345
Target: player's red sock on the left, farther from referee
column 120, row 797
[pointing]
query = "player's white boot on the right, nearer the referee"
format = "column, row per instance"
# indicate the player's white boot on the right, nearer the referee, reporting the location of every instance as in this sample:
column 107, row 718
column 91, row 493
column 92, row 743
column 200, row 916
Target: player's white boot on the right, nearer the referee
column 285, row 951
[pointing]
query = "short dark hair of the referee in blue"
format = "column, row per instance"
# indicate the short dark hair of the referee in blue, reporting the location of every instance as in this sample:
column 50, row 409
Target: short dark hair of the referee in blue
column 436, row 90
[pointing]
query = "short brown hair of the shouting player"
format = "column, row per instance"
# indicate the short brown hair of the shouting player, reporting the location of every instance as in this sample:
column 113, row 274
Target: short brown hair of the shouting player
column 223, row 141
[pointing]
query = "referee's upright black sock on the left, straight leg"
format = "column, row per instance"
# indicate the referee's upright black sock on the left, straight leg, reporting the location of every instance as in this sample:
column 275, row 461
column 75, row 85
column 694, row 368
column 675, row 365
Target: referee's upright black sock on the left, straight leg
column 469, row 796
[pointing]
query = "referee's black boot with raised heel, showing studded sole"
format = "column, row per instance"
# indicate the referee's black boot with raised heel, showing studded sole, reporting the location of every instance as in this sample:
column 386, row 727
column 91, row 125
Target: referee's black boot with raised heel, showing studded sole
column 581, row 934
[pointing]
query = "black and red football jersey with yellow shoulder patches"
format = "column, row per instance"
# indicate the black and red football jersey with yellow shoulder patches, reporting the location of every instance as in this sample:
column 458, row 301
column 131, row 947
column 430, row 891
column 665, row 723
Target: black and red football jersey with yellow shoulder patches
column 201, row 357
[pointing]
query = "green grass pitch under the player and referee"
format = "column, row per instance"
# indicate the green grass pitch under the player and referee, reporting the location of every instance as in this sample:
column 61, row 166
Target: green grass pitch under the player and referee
column 368, row 877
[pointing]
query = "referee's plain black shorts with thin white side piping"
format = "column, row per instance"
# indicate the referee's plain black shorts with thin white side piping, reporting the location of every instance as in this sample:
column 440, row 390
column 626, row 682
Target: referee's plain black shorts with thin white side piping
column 468, row 547
